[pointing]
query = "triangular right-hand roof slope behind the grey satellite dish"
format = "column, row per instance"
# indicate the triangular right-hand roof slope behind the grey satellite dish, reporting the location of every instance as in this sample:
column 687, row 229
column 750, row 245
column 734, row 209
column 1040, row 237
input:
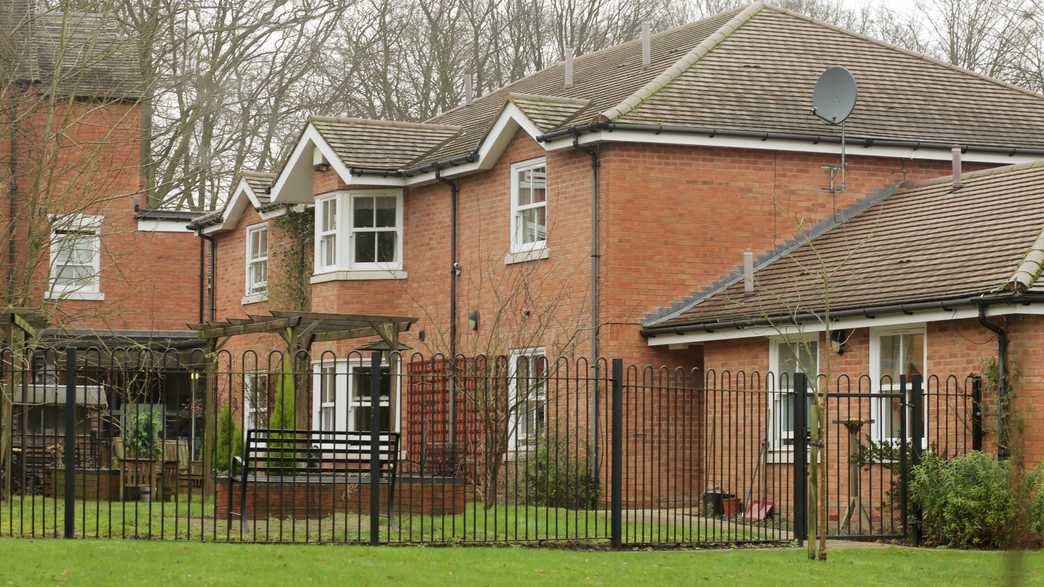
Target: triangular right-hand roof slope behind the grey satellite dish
column 760, row 78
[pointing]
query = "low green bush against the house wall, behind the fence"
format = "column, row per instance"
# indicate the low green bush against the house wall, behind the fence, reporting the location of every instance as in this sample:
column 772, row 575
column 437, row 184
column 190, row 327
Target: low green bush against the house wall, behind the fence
column 558, row 478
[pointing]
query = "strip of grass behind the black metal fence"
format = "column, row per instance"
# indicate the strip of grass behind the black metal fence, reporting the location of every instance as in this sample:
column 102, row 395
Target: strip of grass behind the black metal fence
column 38, row 518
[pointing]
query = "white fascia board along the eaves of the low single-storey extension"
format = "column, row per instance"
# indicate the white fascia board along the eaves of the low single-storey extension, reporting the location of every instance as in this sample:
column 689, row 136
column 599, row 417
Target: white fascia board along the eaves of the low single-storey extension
column 846, row 324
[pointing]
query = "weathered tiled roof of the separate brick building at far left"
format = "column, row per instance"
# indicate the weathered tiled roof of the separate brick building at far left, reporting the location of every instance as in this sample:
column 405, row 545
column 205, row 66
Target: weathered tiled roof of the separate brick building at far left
column 78, row 54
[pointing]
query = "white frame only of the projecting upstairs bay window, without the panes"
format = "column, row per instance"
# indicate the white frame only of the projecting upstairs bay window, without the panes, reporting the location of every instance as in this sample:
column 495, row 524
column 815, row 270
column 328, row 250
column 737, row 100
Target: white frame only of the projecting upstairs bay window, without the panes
column 345, row 233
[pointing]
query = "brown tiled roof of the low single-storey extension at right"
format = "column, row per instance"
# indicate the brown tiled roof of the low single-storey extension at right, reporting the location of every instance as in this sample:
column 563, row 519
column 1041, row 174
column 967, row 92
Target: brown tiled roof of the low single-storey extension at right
column 926, row 243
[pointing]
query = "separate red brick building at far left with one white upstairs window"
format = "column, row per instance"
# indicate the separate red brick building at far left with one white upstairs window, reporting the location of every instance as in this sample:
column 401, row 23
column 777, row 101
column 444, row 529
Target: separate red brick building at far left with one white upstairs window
column 81, row 248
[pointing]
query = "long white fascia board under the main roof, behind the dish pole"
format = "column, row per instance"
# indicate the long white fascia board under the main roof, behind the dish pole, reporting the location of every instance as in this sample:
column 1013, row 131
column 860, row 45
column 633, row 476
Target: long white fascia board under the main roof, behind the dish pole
column 723, row 142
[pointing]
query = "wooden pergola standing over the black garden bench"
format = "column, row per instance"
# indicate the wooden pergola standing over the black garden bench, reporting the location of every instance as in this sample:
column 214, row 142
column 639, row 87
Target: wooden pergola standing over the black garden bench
column 299, row 331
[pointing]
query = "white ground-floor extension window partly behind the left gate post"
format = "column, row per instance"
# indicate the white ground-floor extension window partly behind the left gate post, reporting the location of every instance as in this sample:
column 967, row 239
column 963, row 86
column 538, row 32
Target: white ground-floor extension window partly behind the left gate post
column 791, row 357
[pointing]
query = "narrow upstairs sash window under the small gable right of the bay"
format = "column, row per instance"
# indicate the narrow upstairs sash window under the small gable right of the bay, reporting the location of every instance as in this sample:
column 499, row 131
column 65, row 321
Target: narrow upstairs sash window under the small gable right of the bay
column 529, row 220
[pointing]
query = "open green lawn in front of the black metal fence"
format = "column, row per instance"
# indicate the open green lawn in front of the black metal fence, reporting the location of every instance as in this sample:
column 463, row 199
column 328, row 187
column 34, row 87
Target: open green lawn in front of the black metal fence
column 108, row 562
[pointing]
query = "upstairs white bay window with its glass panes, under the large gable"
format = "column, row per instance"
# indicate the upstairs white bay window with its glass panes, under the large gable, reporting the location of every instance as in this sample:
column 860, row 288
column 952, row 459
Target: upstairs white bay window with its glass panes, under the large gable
column 360, row 231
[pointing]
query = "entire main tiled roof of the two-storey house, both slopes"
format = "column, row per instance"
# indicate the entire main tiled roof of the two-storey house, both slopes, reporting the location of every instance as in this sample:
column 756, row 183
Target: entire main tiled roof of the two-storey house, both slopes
column 753, row 72
